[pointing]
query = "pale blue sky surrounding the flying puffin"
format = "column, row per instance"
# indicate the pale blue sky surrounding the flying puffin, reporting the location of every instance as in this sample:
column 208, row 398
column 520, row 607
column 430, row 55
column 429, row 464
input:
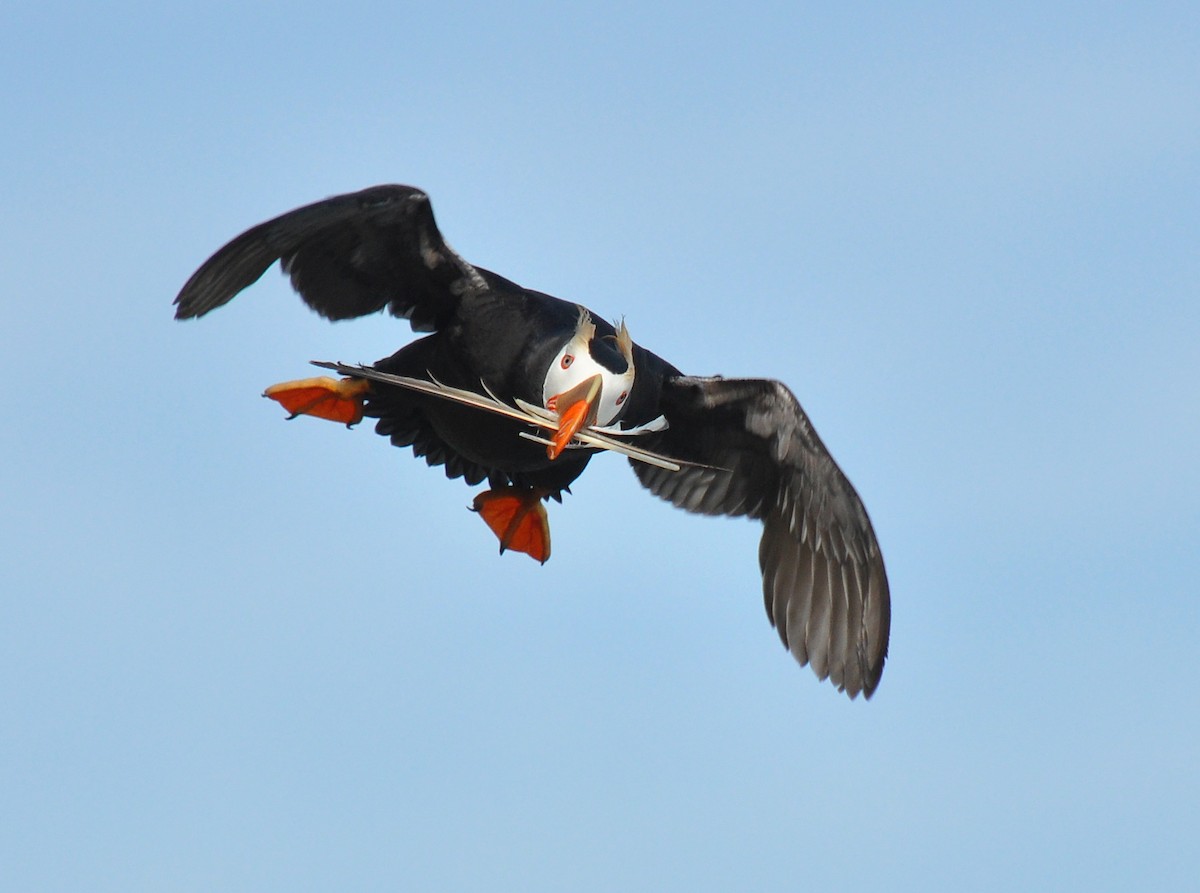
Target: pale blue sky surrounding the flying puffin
column 245, row 655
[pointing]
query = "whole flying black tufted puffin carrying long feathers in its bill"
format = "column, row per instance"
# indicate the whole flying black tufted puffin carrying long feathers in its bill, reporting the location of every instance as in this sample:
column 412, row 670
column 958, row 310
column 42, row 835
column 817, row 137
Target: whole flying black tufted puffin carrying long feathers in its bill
column 521, row 389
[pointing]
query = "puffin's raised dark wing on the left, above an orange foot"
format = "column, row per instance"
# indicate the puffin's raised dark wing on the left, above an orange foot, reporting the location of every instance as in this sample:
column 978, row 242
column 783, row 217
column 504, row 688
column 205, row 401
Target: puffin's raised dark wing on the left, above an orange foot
column 347, row 256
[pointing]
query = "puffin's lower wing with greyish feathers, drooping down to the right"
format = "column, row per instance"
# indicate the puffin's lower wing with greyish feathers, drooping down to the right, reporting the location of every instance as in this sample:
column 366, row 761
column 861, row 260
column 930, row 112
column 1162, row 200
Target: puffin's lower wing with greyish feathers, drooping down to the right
column 823, row 573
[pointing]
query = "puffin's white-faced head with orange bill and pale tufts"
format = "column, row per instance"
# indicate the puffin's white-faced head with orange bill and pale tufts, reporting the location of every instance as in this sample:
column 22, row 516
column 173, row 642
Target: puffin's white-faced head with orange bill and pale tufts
column 590, row 380
